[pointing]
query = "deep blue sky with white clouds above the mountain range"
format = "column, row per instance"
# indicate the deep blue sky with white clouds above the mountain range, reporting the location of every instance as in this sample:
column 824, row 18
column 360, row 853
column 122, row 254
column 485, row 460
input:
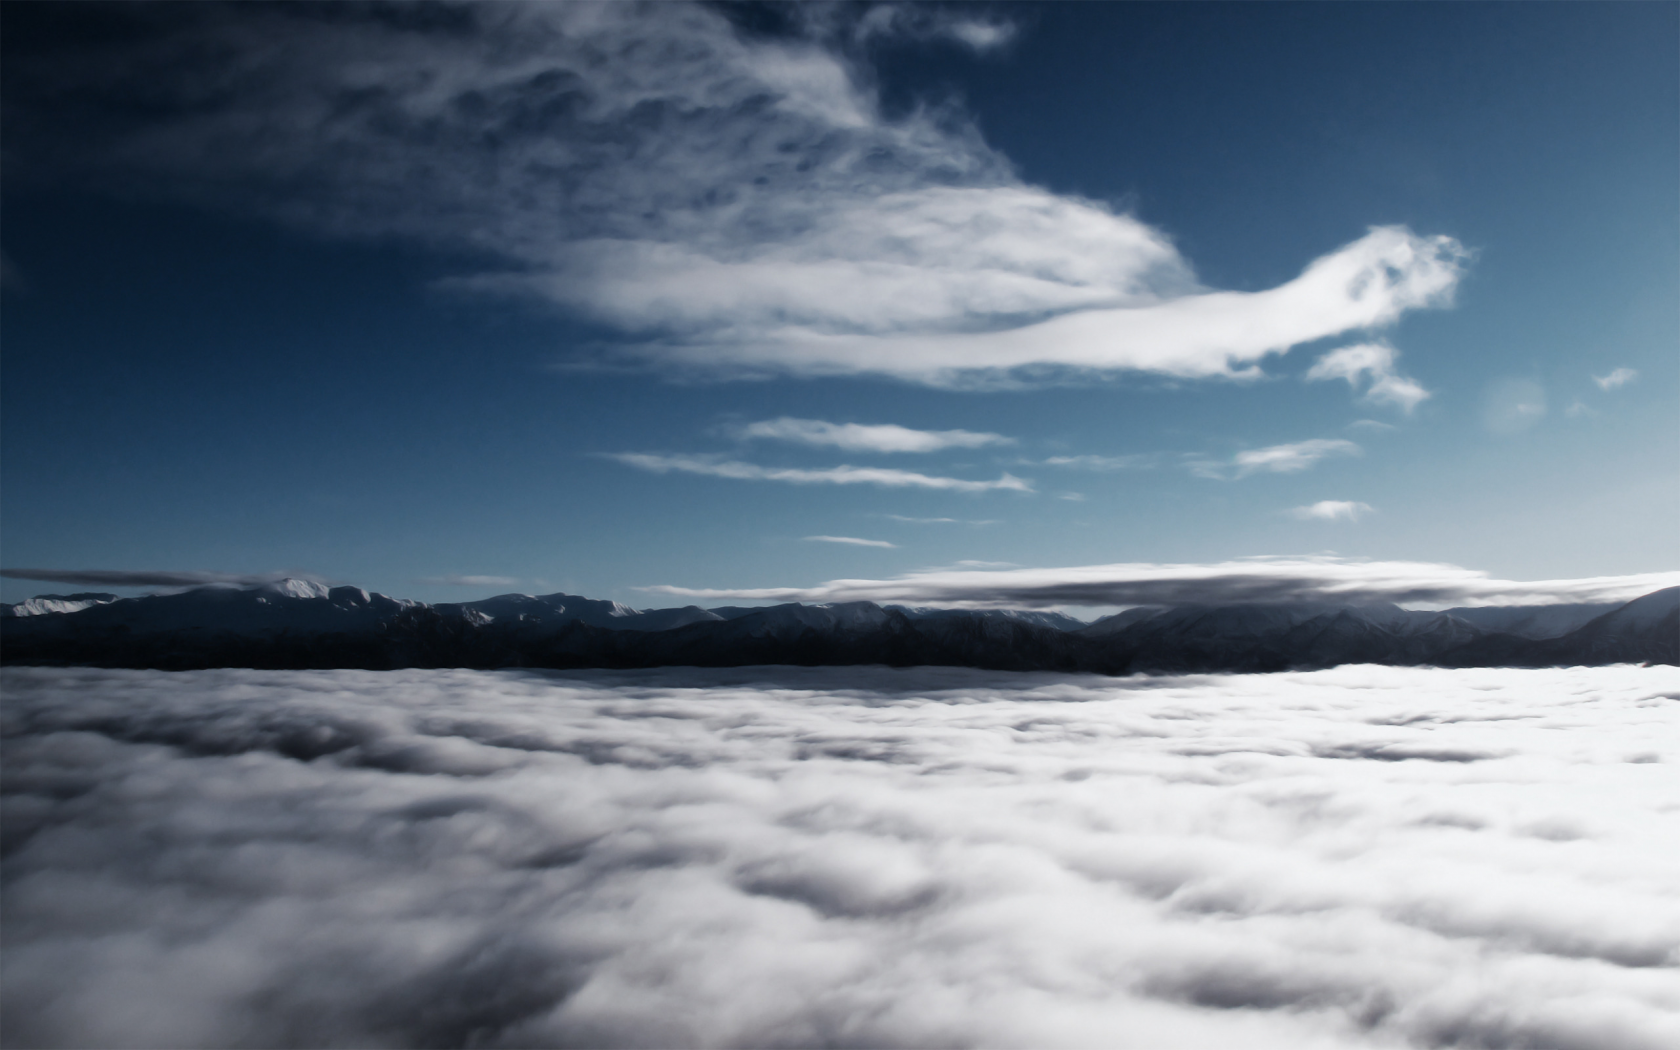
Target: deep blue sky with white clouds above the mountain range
column 448, row 302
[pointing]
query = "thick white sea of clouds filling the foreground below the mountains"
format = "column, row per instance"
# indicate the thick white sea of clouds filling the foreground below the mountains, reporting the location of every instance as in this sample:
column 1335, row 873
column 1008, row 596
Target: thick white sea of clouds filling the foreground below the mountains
column 843, row 858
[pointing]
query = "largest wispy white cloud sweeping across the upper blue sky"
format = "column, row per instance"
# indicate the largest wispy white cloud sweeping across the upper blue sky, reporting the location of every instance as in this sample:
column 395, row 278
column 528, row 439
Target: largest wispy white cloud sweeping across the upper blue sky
column 733, row 204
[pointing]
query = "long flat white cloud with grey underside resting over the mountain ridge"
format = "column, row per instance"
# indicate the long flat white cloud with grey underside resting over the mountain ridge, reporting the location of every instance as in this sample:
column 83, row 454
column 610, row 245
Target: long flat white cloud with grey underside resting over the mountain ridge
column 1274, row 579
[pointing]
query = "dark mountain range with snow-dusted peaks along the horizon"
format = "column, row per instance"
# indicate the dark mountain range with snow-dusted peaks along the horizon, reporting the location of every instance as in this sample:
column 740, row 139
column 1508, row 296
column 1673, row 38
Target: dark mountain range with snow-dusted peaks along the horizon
column 305, row 626
